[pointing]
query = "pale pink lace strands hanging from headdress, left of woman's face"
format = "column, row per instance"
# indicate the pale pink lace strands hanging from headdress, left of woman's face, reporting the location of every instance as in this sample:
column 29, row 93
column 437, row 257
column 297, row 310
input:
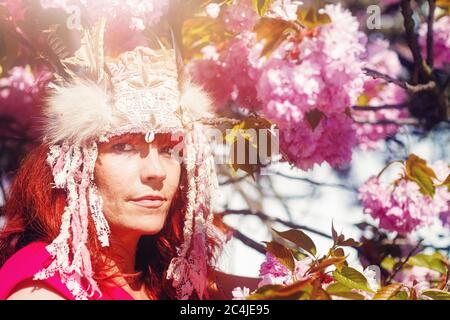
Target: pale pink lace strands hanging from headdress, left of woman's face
column 73, row 171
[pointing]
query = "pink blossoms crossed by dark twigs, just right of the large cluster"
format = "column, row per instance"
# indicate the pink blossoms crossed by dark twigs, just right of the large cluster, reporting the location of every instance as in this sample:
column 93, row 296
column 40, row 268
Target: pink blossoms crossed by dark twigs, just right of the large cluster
column 378, row 93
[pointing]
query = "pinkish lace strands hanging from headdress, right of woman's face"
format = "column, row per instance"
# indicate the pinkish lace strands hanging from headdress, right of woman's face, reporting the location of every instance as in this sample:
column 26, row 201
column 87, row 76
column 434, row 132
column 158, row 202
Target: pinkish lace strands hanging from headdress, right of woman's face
column 189, row 269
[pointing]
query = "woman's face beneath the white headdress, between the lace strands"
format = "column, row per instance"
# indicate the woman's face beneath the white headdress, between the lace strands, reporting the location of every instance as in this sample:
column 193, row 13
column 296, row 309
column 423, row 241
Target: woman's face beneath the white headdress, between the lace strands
column 137, row 182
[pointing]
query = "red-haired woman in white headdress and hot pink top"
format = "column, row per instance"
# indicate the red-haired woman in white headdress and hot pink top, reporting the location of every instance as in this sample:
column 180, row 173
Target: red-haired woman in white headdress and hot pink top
column 116, row 202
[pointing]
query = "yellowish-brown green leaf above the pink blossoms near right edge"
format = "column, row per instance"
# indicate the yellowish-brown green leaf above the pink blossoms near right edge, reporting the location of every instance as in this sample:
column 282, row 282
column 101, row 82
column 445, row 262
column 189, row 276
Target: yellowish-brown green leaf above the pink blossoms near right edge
column 417, row 170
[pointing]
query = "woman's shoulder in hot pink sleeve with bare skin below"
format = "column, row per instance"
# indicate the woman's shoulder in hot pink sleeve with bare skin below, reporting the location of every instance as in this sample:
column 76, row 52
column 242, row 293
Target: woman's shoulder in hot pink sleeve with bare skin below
column 16, row 275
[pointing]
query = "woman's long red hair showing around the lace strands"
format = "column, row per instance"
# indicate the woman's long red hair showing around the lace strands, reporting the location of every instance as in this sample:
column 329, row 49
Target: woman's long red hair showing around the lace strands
column 34, row 209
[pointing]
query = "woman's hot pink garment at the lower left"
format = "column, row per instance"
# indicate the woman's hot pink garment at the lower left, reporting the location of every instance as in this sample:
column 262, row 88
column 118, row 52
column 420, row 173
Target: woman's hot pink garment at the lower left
column 26, row 262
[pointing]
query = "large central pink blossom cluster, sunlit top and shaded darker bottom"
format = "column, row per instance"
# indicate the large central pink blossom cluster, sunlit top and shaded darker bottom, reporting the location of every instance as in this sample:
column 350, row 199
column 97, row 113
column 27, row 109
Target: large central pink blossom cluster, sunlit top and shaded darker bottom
column 323, row 72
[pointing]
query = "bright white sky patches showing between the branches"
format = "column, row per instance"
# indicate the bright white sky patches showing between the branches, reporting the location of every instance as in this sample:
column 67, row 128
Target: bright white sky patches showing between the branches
column 329, row 204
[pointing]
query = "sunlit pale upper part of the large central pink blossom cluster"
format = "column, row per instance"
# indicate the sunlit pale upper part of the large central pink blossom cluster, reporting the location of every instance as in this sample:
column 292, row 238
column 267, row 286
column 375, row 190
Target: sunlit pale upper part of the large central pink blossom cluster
column 323, row 71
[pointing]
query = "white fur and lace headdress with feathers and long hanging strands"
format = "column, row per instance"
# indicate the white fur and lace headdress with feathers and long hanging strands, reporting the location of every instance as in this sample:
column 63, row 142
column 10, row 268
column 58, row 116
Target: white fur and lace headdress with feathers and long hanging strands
column 100, row 97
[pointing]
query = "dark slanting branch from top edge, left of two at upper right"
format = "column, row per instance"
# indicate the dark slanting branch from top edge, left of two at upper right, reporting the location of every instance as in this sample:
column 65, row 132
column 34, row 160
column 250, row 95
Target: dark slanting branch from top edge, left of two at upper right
column 411, row 38
